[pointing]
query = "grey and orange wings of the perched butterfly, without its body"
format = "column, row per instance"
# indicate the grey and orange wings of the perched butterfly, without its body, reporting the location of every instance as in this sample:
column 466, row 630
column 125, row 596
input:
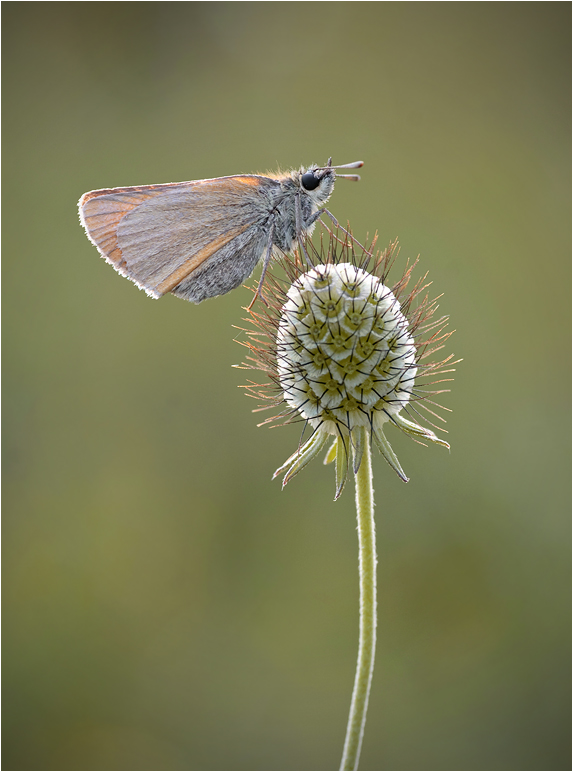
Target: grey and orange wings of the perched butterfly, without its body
column 159, row 235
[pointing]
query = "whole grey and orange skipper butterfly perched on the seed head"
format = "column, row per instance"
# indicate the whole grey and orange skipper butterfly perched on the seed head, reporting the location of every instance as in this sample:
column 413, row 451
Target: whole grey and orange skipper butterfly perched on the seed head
column 203, row 238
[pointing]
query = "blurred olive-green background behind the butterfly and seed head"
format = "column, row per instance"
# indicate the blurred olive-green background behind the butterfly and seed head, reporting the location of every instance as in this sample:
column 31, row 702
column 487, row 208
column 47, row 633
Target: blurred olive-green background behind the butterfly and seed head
column 166, row 606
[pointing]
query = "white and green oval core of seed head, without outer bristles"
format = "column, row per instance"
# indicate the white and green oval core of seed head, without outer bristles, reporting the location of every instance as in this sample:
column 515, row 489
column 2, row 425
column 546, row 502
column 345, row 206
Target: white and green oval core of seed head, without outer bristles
column 345, row 355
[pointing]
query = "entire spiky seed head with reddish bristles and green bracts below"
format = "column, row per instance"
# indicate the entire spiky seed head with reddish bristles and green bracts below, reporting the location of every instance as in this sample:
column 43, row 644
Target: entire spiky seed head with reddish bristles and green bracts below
column 342, row 350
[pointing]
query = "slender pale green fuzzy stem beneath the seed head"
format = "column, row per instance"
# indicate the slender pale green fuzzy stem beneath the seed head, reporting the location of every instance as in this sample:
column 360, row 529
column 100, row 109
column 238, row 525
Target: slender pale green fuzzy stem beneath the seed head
column 367, row 637
